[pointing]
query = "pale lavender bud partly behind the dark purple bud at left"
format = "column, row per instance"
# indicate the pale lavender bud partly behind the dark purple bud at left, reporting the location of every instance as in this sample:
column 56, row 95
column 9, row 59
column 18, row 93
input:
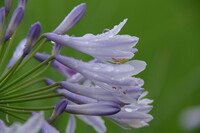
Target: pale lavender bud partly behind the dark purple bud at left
column 18, row 53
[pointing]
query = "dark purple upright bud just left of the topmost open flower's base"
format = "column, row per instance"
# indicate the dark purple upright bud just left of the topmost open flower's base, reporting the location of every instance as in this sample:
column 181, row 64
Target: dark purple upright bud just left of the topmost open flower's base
column 32, row 37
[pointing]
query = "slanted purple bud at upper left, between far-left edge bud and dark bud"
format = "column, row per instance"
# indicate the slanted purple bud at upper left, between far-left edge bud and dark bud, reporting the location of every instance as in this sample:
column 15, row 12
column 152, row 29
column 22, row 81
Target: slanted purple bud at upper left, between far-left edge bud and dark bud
column 14, row 22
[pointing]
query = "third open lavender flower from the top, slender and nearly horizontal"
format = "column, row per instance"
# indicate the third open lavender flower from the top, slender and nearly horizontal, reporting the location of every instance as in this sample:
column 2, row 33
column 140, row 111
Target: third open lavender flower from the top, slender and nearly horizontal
column 102, row 94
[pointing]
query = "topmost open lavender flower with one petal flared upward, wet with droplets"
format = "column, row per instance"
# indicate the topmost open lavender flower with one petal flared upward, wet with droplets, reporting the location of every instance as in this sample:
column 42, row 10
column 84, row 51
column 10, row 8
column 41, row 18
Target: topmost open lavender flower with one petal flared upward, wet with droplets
column 106, row 47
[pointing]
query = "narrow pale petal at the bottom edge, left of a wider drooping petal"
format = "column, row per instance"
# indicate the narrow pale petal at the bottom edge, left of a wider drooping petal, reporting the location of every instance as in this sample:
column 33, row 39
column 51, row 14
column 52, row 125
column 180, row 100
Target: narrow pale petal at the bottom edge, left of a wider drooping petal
column 71, row 126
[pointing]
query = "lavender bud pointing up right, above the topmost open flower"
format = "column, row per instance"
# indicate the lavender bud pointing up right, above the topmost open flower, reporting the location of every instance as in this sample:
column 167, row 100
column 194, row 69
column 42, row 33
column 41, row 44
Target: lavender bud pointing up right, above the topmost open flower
column 72, row 18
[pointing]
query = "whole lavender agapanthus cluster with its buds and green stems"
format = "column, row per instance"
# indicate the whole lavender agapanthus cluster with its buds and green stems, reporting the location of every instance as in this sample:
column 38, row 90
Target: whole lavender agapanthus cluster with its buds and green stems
column 105, row 86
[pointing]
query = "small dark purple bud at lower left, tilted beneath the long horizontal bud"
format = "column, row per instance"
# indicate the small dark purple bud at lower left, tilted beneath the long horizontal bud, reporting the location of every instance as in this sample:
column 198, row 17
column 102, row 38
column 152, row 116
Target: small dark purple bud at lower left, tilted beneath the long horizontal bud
column 59, row 109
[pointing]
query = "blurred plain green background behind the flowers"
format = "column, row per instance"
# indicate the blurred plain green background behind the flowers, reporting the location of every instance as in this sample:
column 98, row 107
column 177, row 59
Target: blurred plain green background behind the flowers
column 169, row 32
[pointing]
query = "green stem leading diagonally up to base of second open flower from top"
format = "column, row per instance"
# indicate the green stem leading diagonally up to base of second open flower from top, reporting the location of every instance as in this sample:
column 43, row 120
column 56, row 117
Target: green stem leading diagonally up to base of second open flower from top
column 28, row 73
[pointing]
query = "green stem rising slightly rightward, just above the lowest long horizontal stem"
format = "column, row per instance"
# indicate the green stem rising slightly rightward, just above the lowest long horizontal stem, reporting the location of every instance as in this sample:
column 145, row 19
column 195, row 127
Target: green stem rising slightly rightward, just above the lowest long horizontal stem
column 31, row 98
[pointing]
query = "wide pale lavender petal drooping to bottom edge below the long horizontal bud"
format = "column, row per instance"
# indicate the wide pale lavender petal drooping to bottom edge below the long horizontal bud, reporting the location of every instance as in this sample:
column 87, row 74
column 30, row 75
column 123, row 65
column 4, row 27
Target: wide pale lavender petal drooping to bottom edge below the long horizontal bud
column 95, row 121
